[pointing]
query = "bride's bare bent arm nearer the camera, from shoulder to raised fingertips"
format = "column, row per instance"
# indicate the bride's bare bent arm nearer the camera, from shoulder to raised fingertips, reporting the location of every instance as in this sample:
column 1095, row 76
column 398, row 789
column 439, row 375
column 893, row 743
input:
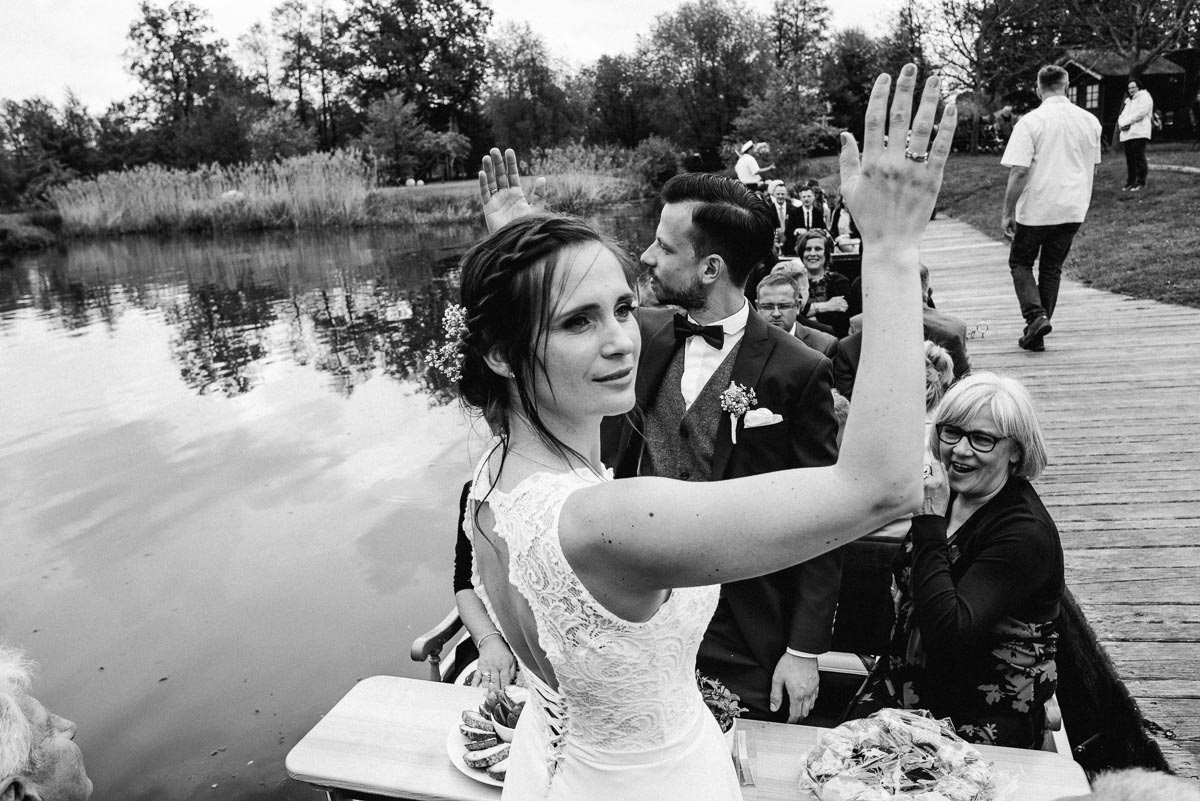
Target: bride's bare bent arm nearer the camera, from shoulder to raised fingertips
column 635, row 537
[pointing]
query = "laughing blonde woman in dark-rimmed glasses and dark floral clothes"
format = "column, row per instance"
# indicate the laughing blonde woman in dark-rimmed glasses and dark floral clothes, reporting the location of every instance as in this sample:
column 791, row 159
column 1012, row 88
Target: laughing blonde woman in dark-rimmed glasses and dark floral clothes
column 980, row 579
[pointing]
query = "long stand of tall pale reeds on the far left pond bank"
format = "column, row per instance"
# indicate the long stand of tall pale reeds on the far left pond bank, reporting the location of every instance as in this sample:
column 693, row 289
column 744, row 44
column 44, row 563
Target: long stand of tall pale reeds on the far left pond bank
column 313, row 191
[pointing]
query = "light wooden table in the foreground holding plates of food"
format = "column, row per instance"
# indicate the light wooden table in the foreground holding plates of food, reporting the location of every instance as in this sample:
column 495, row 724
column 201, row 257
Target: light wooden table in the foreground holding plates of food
column 388, row 738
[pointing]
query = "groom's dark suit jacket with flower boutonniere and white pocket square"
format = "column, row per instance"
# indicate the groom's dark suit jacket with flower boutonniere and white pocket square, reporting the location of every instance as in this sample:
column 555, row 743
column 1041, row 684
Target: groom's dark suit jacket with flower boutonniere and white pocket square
column 794, row 607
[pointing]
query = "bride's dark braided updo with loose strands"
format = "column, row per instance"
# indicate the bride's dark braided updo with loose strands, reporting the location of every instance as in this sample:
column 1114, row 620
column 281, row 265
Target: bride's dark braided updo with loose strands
column 509, row 282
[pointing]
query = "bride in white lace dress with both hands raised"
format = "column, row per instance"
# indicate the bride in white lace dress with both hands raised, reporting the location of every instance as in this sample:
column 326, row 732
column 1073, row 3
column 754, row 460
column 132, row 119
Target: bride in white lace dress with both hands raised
column 604, row 588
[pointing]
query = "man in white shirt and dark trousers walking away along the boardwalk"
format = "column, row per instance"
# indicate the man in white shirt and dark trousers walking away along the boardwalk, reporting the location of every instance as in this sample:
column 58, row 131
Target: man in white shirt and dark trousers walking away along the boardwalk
column 1053, row 158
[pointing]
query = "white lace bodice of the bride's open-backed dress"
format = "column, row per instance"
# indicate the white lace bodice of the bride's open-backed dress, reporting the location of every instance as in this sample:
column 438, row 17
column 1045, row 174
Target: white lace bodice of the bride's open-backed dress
column 626, row 686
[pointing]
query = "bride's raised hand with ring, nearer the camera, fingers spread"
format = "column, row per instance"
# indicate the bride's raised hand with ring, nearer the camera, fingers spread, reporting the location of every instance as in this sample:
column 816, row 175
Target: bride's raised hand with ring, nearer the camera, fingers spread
column 893, row 189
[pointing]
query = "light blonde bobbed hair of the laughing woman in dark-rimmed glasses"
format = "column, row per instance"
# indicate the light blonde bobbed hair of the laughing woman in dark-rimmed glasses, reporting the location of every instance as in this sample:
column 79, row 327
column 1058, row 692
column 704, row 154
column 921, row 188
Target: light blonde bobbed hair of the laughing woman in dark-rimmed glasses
column 1011, row 407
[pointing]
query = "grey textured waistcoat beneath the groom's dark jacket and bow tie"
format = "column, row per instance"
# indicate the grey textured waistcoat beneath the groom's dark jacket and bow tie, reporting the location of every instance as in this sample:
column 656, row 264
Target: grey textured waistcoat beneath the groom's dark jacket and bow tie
column 680, row 443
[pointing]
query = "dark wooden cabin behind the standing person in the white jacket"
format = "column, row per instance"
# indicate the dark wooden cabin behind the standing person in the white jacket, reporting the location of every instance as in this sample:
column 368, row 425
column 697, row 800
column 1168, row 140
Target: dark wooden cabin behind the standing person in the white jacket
column 1099, row 81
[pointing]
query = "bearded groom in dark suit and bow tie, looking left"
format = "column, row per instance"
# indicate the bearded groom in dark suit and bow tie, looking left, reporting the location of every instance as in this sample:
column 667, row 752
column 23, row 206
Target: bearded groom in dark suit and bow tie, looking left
column 766, row 634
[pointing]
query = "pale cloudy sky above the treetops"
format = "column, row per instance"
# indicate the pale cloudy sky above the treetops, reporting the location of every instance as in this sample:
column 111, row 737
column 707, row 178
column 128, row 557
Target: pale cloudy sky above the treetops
column 51, row 46
